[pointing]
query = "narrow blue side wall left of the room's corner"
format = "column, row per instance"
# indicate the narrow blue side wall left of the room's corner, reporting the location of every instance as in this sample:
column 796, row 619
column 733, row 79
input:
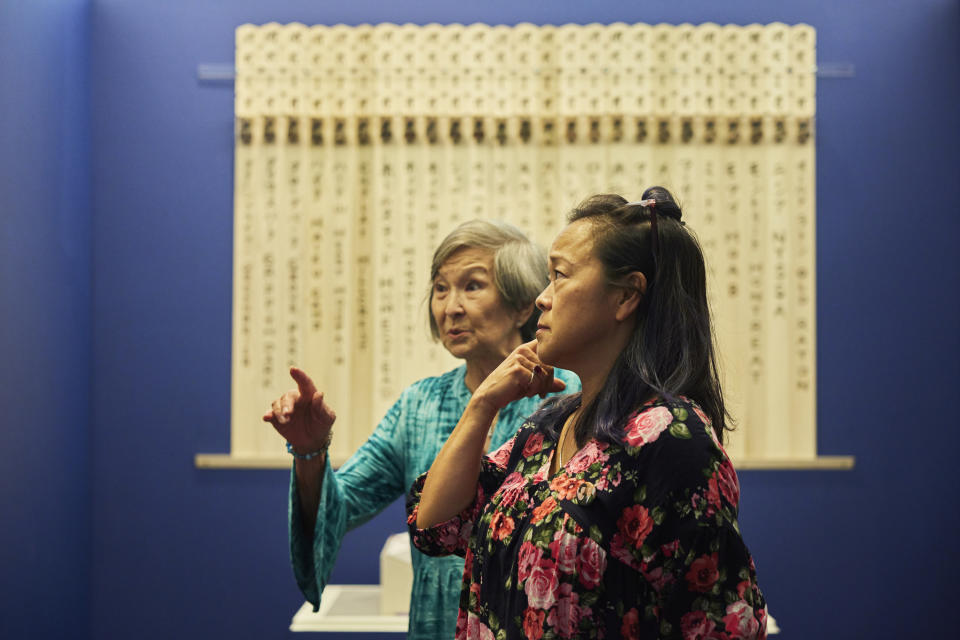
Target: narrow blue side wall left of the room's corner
column 45, row 320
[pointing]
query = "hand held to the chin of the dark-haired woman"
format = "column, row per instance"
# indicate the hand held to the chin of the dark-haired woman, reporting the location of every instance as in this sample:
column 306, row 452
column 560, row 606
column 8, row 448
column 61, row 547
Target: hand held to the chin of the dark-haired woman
column 520, row 375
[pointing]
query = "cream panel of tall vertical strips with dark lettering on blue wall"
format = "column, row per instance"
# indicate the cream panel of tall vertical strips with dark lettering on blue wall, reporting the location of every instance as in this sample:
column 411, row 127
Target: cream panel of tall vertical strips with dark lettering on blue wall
column 359, row 148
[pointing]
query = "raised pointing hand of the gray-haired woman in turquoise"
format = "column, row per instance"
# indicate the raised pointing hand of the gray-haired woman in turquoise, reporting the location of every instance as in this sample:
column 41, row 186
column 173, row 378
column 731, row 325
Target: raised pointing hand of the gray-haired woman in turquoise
column 301, row 416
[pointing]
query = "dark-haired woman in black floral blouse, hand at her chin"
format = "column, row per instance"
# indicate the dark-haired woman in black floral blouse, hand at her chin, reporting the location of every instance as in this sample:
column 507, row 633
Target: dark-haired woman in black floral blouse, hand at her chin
column 612, row 512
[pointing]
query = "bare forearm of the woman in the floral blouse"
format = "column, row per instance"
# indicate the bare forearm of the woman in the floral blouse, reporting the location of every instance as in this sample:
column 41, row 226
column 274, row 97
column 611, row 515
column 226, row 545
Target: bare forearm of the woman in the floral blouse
column 451, row 484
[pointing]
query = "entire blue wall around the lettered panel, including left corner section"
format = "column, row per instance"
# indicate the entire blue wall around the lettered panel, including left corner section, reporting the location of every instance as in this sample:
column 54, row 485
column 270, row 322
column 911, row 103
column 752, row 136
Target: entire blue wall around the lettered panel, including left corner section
column 181, row 552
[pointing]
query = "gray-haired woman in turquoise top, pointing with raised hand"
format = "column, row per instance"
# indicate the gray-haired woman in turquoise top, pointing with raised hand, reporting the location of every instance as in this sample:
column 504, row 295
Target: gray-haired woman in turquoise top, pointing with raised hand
column 484, row 280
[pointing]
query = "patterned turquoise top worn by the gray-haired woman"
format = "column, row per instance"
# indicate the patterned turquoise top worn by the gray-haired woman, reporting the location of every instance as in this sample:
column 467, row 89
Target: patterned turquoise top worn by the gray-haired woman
column 401, row 448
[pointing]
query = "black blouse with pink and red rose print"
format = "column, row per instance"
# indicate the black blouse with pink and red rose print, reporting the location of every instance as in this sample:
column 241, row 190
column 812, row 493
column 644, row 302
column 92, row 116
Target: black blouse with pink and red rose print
column 633, row 540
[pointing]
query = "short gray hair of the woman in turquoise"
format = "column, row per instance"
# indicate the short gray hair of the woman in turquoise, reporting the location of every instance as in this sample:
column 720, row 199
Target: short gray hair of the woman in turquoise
column 519, row 266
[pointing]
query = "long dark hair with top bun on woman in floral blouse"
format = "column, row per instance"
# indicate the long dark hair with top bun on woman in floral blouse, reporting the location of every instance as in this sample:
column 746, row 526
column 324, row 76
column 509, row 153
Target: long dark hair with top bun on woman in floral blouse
column 671, row 350
